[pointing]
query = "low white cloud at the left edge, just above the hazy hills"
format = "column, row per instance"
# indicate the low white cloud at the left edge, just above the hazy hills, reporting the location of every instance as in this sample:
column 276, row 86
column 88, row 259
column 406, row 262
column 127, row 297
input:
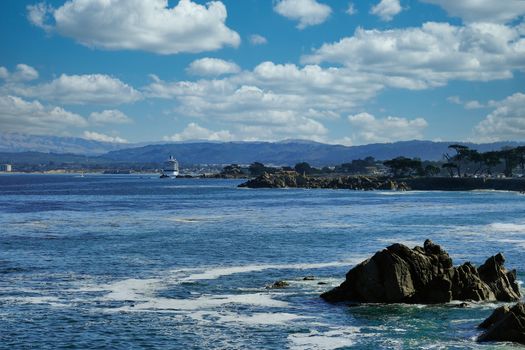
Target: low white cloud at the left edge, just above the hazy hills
column 31, row 117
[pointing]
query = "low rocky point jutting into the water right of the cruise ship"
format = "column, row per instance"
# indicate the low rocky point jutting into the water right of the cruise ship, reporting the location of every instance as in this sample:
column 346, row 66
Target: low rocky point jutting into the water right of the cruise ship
column 292, row 179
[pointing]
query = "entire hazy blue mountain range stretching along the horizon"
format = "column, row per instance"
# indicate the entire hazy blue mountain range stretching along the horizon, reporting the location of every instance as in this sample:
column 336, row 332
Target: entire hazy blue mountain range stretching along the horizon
column 28, row 149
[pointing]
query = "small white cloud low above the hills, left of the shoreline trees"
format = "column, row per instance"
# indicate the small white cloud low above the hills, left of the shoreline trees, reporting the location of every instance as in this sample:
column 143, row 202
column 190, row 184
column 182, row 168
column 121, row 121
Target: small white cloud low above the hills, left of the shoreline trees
column 368, row 129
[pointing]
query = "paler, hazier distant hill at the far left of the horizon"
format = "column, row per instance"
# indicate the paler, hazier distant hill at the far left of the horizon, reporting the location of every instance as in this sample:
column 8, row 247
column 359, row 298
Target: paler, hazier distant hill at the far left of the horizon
column 14, row 142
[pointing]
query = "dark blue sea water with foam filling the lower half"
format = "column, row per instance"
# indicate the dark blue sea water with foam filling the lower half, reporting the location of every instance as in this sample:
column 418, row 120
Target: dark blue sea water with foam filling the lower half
column 137, row 262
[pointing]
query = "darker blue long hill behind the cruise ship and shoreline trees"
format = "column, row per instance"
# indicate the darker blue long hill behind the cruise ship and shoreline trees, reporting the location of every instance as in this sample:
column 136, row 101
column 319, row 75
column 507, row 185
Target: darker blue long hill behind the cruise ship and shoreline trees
column 287, row 152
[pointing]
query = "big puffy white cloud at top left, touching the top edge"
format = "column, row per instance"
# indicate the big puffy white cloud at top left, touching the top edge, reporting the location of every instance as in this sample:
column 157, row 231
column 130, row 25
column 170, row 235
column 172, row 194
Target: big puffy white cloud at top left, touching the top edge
column 140, row 25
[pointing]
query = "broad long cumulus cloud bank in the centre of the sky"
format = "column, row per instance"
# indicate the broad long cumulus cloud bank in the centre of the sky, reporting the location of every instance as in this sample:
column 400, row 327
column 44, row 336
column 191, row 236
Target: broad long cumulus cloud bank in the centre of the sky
column 280, row 98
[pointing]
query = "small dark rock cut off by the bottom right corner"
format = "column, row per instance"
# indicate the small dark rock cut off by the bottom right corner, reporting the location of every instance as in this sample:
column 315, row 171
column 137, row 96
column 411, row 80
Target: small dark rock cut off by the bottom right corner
column 505, row 324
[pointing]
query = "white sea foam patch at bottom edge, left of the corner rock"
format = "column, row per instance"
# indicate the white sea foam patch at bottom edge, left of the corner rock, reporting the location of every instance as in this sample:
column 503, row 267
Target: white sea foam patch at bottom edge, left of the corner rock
column 332, row 339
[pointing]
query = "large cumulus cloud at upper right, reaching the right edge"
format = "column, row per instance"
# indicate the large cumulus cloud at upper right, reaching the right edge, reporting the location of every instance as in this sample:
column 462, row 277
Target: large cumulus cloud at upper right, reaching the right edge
column 418, row 58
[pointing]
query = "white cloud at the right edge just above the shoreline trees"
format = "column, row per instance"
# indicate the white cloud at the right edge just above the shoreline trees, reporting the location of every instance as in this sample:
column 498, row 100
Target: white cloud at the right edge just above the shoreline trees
column 505, row 123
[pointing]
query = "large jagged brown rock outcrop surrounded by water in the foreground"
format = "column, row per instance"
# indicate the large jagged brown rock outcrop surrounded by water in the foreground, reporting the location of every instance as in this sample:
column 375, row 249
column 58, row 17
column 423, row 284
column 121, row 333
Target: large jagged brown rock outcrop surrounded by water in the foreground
column 425, row 275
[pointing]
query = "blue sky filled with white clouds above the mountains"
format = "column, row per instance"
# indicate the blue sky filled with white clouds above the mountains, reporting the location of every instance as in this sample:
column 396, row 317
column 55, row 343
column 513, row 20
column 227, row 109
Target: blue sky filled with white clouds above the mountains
column 333, row 71
